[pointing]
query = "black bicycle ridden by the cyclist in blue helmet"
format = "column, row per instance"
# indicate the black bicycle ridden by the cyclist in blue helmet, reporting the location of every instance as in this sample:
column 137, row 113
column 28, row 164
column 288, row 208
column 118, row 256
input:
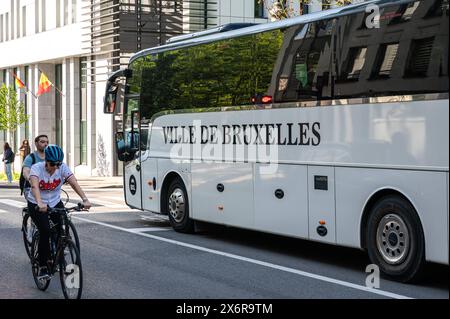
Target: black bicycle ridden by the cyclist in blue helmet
column 64, row 256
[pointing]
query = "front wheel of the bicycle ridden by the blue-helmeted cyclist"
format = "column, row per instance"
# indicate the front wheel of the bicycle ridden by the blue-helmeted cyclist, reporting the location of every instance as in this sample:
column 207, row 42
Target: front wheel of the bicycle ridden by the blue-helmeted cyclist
column 71, row 271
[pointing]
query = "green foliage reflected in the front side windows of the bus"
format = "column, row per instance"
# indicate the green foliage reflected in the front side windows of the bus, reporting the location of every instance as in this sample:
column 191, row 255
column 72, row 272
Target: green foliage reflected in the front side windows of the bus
column 218, row 74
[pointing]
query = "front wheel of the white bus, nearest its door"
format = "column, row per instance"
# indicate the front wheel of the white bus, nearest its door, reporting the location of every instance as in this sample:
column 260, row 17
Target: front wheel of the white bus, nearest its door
column 177, row 207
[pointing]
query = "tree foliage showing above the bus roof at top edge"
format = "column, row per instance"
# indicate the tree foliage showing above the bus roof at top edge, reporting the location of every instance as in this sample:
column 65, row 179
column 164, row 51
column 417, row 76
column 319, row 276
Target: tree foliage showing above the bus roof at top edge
column 283, row 9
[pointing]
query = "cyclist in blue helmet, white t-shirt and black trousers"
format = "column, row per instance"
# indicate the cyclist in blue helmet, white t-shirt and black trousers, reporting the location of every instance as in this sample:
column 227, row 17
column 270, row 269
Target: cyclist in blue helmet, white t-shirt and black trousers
column 46, row 180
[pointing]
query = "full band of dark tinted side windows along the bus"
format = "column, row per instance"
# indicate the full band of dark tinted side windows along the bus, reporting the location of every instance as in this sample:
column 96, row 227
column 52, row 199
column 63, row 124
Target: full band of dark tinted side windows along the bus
column 328, row 59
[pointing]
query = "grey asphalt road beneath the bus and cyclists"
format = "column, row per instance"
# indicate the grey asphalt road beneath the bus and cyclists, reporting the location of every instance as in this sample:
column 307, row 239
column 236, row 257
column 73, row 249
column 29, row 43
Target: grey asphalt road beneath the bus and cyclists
column 133, row 254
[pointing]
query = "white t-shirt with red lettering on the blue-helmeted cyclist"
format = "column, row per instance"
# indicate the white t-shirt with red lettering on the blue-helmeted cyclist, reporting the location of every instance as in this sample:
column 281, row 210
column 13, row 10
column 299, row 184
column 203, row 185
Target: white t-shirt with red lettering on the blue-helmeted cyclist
column 50, row 186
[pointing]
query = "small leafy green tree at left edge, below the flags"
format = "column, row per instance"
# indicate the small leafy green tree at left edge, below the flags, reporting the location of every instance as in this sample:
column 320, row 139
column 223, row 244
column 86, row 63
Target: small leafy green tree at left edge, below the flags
column 12, row 111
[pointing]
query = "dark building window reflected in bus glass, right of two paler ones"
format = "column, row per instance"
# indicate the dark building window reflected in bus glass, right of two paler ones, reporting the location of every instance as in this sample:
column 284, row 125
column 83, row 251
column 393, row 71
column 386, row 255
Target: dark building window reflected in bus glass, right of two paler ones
column 419, row 57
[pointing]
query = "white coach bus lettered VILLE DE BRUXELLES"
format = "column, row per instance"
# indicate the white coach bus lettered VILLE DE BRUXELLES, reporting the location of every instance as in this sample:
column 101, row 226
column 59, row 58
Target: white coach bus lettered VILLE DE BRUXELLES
column 332, row 127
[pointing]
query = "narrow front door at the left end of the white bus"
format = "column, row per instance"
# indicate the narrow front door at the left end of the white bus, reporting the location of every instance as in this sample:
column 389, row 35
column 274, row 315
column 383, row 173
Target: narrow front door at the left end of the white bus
column 132, row 164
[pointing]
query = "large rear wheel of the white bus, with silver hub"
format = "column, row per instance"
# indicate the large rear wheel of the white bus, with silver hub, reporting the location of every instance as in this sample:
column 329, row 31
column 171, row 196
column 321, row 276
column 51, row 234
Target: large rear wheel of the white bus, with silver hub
column 395, row 239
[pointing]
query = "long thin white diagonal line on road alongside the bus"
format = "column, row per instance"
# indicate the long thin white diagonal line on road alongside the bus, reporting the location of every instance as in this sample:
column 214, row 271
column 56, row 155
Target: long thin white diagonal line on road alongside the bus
column 255, row 261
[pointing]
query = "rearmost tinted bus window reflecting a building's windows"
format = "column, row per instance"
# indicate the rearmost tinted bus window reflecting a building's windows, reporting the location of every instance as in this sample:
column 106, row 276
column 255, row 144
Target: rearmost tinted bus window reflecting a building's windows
column 395, row 59
